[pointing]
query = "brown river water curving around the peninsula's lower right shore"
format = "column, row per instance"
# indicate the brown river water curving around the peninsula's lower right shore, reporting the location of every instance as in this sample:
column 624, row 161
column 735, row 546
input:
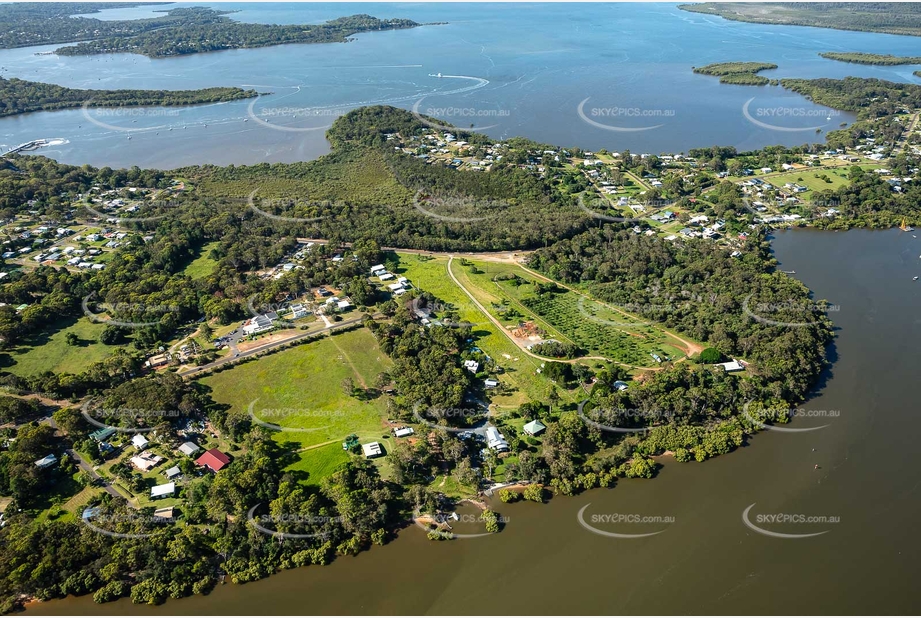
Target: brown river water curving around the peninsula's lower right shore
column 705, row 559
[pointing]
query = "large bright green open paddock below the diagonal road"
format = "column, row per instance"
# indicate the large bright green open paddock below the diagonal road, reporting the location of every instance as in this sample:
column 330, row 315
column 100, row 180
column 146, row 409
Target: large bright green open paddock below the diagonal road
column 301, row 389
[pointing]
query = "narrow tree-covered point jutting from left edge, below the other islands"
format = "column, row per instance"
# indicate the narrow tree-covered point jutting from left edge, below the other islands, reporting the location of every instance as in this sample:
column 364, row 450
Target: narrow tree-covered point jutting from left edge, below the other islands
column 18, row 96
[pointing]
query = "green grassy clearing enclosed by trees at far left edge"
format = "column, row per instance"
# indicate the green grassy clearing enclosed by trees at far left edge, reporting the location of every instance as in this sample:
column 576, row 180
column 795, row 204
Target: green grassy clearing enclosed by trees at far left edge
column 48, row 351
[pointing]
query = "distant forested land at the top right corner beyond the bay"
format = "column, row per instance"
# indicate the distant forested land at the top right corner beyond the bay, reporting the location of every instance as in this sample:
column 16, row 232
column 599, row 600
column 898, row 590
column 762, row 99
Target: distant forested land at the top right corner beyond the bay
column 888, row 17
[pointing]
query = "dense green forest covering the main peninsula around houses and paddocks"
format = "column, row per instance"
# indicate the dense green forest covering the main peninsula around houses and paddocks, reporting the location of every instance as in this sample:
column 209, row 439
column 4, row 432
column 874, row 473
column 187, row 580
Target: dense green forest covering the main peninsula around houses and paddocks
column 366, row 194
